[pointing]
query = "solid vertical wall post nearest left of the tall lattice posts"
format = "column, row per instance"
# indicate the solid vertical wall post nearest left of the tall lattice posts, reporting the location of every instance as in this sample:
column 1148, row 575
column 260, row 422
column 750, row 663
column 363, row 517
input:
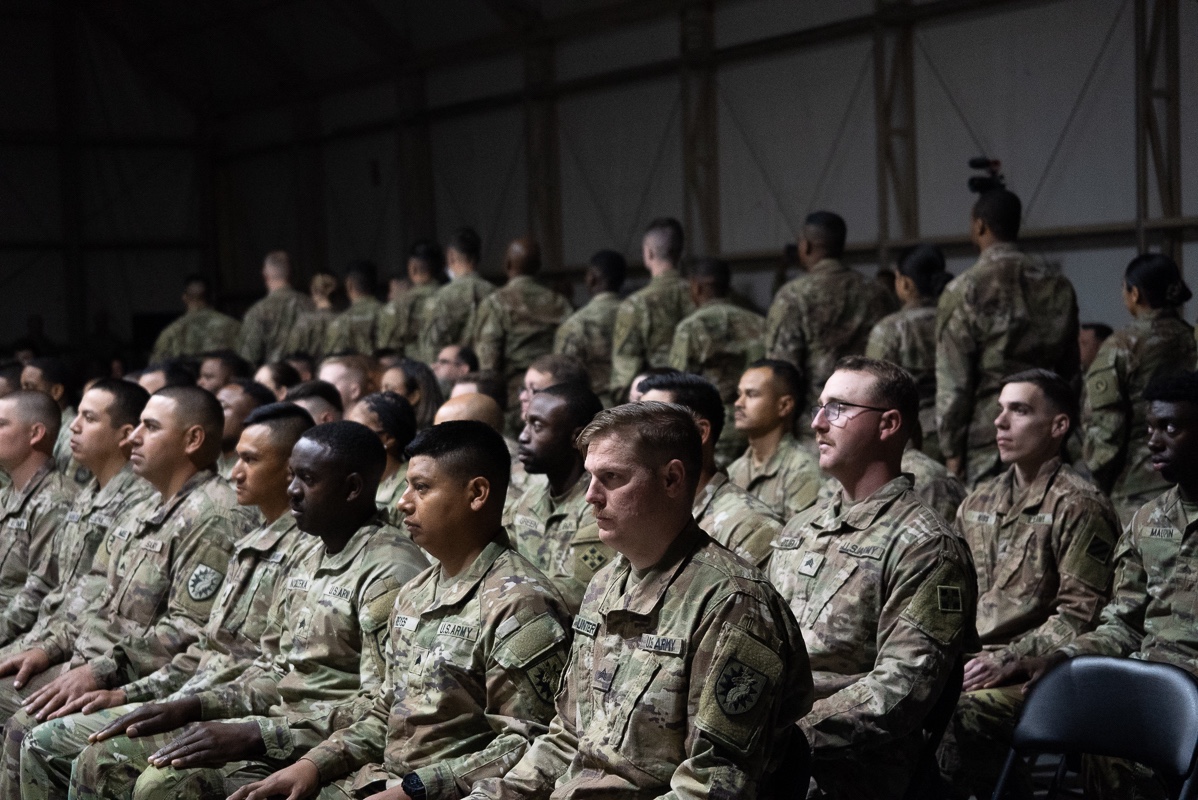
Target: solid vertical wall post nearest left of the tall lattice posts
column 700, row 129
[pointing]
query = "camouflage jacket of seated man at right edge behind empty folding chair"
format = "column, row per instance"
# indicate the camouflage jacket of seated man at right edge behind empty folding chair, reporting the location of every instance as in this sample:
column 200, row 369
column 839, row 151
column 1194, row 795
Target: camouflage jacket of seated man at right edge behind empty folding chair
column 1155, row 596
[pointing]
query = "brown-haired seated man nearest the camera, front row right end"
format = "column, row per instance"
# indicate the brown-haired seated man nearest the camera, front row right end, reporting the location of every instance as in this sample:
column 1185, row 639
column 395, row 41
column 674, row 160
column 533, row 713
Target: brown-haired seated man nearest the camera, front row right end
column 687, row 671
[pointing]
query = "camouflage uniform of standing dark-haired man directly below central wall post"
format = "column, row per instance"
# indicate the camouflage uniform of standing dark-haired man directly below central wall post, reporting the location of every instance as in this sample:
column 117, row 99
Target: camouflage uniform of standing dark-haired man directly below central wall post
column 719, row 342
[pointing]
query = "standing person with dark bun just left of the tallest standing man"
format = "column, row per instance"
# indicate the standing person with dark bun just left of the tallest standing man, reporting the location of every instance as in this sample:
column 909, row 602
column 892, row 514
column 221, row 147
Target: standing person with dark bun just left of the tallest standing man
column 909, row 337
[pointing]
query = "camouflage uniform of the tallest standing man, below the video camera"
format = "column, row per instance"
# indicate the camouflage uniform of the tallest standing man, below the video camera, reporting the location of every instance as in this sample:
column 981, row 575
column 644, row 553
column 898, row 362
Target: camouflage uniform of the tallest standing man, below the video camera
column 1008, row 313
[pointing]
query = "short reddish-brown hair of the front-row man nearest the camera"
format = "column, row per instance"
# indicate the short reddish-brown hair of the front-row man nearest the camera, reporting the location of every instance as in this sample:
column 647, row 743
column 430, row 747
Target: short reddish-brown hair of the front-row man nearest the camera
column 658, row 434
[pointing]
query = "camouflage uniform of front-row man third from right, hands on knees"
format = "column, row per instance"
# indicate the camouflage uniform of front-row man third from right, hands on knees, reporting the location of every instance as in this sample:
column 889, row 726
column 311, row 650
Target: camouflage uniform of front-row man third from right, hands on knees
column 332, row 622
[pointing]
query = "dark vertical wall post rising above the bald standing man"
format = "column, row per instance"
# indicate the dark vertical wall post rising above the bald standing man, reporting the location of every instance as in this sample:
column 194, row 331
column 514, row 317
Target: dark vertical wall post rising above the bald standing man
column 543, row 153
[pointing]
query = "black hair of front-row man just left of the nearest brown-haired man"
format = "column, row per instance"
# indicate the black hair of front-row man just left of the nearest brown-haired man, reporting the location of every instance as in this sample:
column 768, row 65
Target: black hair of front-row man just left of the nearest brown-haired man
column 468, row 450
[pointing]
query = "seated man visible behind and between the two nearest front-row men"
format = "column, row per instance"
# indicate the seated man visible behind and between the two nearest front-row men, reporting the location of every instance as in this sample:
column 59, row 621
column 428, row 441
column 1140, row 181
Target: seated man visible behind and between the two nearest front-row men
column 552, row 512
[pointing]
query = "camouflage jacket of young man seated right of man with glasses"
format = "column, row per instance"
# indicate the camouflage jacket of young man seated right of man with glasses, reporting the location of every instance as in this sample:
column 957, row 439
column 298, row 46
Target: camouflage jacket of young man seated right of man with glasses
column 1043, row 556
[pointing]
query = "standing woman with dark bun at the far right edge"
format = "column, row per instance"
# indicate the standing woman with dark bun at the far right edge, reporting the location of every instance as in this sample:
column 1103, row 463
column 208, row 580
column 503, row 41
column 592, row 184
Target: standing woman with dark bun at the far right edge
column 1115, row 423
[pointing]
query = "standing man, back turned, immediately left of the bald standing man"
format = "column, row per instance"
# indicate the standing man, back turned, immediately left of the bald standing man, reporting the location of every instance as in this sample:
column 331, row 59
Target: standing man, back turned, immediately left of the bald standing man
column 450, row 313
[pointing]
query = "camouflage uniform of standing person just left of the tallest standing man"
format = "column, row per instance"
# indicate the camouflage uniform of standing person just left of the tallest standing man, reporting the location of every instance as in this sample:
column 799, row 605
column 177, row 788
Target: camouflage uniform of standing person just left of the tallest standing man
column 907, row 338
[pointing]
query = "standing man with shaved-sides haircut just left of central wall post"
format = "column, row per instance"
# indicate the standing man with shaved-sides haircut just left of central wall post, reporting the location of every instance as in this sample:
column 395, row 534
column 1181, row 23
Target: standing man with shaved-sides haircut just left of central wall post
column 646, row 319
